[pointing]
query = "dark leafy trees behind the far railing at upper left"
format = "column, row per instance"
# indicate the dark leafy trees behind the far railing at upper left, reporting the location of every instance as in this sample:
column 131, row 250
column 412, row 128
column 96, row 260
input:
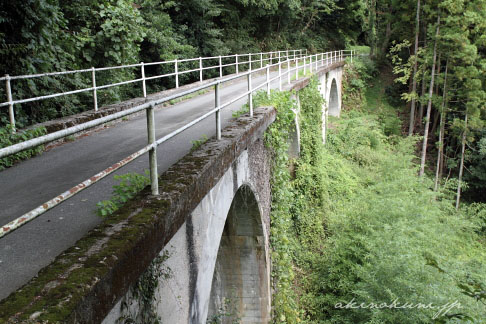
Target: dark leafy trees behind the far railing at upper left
column 68, row 35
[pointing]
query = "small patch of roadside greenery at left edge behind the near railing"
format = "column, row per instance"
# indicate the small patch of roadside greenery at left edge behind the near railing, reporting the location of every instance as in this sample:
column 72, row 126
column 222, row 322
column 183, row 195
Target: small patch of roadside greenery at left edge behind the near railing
column 7, row 139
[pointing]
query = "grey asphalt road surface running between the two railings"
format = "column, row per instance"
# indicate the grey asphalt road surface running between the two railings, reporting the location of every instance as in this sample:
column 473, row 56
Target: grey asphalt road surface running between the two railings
column 32, row 182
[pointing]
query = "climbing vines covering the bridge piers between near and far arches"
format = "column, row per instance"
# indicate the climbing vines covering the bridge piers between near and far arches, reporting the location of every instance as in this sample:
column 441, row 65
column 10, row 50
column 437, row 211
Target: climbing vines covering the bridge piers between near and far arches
column 297, row 216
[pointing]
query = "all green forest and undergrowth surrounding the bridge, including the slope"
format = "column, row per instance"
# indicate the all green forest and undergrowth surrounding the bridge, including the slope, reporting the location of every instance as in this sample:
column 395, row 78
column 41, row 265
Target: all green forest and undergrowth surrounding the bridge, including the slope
column 399, row 189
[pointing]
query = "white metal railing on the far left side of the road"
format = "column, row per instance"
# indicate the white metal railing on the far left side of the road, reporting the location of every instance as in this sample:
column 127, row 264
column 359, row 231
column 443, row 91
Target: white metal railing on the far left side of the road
column 261, row 58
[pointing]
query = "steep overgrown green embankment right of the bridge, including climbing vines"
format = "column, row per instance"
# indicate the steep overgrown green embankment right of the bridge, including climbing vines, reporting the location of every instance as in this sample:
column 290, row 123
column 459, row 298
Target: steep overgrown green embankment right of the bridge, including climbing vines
column 353, row 222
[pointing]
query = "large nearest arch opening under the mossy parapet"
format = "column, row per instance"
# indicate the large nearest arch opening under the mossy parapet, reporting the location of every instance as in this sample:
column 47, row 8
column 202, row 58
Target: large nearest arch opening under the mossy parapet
column 240, row 284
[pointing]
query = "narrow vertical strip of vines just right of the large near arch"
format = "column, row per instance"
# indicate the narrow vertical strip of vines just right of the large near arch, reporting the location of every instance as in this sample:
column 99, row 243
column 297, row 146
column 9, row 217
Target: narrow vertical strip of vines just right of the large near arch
column 284, row 308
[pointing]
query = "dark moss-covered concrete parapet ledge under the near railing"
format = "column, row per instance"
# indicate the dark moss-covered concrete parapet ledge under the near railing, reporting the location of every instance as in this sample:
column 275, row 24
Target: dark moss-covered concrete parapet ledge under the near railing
column 84, row 283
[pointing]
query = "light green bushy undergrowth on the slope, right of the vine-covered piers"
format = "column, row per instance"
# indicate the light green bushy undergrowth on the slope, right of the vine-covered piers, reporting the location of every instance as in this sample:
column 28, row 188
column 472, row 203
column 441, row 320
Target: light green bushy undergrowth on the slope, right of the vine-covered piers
column 380, row 231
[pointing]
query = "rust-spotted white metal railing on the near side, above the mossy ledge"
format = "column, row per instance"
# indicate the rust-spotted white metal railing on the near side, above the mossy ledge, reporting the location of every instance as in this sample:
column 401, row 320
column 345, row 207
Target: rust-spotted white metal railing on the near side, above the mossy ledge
column 300, row 64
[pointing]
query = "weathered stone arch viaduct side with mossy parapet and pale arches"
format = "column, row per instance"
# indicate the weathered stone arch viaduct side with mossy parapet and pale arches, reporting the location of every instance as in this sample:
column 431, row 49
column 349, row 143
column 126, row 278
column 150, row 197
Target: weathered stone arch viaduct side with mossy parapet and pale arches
column 210, row 223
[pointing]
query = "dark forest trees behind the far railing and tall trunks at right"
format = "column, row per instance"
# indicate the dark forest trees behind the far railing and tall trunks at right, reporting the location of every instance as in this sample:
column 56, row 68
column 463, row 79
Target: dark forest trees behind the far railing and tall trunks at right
column 437, row 50
